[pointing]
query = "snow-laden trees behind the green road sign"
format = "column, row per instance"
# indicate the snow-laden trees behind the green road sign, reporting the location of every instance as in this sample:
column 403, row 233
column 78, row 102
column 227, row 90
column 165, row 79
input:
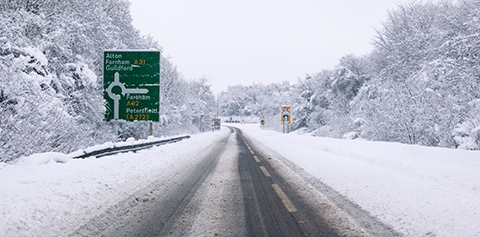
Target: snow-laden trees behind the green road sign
column 51, row 56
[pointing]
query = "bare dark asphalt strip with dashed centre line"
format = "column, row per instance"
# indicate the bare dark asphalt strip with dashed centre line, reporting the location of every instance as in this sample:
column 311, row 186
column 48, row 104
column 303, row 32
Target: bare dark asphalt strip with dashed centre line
column 272, row 207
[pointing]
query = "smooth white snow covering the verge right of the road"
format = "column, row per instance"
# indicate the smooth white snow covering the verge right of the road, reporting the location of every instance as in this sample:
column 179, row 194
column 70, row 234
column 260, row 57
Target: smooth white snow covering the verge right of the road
column 420, row 191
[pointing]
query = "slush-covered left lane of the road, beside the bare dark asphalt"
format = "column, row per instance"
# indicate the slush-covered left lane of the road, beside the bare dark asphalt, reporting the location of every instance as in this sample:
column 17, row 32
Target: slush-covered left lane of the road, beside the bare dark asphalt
column 198, row 199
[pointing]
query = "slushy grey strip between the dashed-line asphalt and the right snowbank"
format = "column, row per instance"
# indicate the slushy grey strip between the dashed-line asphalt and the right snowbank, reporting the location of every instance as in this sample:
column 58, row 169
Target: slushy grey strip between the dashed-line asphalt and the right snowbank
column 344, row 216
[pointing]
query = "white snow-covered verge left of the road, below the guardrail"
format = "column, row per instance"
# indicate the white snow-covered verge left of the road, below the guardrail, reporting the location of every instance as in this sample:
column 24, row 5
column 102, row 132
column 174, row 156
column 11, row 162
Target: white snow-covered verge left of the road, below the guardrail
column 52, row 195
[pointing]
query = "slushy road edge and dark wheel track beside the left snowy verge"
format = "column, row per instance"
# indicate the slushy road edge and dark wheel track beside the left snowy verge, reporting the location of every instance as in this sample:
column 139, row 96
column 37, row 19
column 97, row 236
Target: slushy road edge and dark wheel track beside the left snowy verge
column 153, row 211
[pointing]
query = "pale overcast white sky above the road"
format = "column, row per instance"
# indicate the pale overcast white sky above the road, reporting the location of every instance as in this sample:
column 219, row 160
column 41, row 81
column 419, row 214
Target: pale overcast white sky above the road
column 234, row 42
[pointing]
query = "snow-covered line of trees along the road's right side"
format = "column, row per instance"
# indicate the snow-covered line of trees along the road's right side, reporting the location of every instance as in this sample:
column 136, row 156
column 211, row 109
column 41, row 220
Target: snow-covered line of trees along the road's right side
column 419, row 85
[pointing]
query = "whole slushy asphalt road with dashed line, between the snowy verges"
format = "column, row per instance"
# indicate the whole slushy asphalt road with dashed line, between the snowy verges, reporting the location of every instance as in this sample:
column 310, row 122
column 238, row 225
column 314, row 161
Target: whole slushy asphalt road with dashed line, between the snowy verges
column 230, row 189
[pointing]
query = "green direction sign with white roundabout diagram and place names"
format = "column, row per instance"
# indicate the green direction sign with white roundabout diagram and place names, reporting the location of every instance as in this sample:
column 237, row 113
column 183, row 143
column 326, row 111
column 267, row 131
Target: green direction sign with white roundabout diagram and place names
column 131, row 82
